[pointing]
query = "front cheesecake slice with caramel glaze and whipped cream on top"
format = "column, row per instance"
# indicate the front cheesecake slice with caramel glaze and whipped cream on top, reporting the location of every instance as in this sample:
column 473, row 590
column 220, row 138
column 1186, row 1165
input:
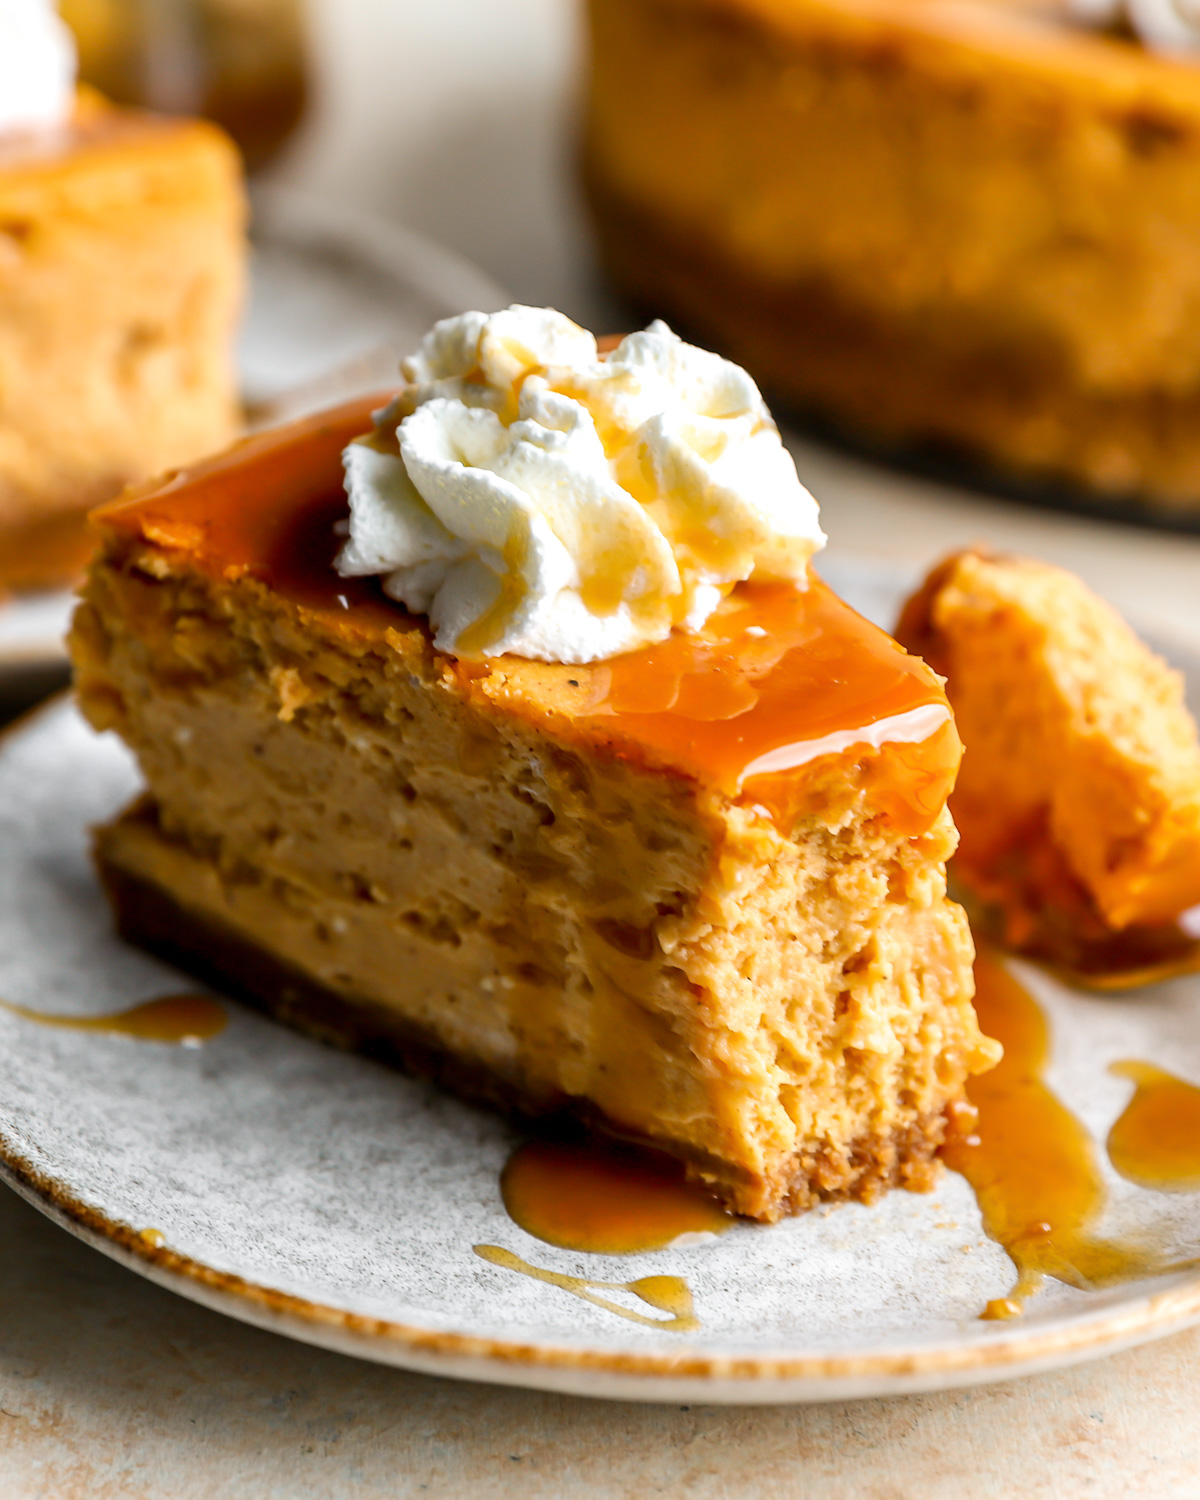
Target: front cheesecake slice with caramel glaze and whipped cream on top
column 692, row 892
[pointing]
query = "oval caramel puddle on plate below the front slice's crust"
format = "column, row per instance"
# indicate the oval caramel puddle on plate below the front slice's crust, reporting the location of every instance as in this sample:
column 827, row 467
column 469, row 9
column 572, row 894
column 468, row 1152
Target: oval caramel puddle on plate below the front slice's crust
column 607, row 1199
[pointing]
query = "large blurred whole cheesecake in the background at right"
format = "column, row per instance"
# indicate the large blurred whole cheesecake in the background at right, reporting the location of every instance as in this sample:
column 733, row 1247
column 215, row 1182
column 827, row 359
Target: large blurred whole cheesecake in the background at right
column 973, row 224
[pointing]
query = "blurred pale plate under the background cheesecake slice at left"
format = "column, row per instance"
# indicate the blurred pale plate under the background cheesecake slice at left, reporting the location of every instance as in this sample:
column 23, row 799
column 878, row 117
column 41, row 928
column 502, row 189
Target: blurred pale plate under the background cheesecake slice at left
column 337, row 299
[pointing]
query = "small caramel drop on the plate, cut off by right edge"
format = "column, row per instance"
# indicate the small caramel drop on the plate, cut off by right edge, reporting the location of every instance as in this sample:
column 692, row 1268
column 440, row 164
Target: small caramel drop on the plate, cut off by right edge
column 1157, row 1139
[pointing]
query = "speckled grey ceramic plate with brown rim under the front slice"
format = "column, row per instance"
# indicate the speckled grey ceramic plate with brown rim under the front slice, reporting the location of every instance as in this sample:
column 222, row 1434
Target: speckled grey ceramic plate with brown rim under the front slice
column 332, row 1201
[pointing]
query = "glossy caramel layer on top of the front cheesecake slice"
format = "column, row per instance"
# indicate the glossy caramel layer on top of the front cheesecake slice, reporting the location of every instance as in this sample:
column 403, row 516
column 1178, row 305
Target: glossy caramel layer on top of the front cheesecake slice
column 742, row 707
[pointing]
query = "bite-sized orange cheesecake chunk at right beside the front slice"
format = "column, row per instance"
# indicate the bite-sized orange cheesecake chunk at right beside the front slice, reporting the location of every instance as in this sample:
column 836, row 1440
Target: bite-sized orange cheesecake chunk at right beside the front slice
column 1079, row 797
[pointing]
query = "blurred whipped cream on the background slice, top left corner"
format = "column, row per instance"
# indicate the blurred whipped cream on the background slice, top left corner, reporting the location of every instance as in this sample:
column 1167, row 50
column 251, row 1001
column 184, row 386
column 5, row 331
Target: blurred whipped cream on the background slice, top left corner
column 37, row 67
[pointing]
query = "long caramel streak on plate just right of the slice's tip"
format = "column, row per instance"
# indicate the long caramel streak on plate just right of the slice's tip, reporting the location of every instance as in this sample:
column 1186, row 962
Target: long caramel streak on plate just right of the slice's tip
column 1033, row 1165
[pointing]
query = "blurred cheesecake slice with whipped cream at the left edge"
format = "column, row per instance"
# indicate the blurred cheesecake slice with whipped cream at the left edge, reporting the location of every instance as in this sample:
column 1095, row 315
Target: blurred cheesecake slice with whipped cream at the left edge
column 122, row 262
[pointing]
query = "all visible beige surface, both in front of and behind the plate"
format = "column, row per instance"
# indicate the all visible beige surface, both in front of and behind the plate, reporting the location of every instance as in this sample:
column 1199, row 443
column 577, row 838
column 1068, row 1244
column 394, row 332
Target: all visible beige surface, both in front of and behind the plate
column 455, row 116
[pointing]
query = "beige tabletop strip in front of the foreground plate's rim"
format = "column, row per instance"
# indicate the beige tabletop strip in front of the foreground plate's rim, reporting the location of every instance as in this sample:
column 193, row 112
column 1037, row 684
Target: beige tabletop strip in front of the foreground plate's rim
column 112, row 1388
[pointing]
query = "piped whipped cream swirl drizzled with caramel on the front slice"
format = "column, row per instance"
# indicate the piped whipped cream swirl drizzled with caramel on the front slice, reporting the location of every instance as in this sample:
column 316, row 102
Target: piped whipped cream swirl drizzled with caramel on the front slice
column 536, row 499
